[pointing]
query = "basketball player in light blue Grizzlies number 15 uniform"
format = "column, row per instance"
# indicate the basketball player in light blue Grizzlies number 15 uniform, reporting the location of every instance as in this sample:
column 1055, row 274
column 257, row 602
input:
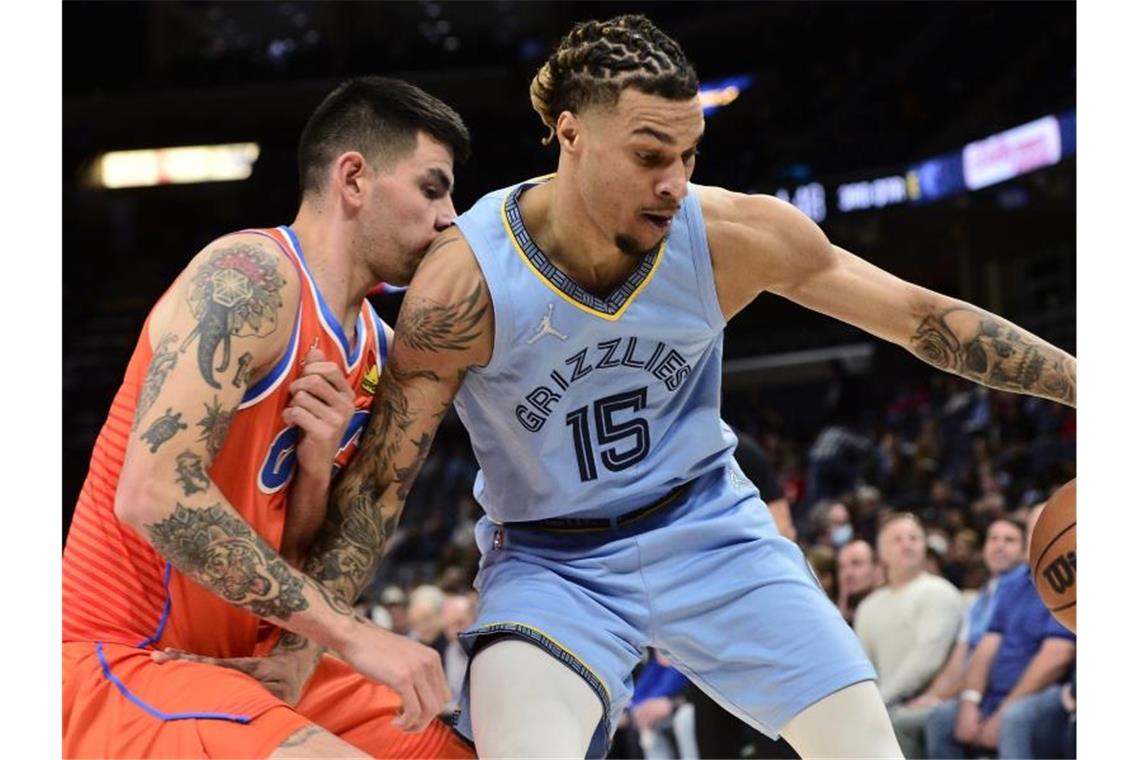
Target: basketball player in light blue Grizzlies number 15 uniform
column 577, row 323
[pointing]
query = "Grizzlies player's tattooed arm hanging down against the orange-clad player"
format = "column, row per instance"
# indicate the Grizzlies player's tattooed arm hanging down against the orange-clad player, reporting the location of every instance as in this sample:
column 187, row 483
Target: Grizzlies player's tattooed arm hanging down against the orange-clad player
column 445, row 328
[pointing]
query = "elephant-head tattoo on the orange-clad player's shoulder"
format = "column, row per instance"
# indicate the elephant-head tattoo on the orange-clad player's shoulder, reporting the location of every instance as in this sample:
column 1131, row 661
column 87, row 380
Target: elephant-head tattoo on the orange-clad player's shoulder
column 235, row 293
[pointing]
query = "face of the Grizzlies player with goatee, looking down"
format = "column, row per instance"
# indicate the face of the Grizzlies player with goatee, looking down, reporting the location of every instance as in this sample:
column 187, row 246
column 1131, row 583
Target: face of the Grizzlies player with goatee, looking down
column 638, row 160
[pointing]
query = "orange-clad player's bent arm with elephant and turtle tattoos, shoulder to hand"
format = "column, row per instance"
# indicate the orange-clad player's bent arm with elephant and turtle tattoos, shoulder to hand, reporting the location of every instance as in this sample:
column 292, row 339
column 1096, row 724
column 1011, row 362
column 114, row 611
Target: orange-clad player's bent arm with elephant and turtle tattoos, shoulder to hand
column 218, row 322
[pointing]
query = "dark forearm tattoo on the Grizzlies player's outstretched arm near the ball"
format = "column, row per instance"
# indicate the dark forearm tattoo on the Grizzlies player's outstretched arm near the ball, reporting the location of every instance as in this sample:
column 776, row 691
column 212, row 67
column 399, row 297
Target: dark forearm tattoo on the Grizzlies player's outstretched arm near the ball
column 991, row 352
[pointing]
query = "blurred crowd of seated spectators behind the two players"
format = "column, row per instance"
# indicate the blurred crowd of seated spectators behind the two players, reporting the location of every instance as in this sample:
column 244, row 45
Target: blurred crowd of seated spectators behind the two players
column 915, row 514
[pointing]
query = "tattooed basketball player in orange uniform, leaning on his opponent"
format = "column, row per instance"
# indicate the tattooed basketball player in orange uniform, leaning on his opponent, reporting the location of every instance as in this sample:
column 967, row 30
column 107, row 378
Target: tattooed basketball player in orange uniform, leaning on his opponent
column 180, row 533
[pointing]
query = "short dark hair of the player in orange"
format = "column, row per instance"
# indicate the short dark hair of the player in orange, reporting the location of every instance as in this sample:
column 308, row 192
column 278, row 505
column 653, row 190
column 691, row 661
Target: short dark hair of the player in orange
column 380, row 118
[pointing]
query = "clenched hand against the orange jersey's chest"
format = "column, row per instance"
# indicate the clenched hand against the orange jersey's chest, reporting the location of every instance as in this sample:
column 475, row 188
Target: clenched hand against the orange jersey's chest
column 321, row 405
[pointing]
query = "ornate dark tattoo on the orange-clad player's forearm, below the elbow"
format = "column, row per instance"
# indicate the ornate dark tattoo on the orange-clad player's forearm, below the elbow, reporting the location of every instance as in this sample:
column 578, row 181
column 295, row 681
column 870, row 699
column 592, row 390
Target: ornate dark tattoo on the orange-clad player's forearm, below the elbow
column 222, row 552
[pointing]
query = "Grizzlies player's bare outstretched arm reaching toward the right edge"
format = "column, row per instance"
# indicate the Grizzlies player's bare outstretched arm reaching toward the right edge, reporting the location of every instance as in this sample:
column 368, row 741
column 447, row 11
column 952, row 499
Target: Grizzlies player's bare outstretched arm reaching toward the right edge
column 760, row 243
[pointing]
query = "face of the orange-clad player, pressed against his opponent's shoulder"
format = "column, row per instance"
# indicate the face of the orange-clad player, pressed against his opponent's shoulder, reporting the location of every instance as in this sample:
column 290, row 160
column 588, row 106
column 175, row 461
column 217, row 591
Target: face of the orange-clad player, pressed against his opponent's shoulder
column 411, row 206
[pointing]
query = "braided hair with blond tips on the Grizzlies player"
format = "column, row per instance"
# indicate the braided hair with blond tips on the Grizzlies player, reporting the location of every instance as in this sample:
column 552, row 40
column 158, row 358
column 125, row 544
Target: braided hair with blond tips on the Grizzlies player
column 597, row 61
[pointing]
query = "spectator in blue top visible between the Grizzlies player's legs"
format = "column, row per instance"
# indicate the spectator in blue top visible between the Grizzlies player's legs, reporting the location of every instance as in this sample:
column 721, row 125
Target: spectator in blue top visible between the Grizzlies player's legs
column 661, row 713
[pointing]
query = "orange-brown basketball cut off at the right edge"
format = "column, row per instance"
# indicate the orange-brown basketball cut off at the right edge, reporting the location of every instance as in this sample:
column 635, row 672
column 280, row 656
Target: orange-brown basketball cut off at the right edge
column 1053, row 555
